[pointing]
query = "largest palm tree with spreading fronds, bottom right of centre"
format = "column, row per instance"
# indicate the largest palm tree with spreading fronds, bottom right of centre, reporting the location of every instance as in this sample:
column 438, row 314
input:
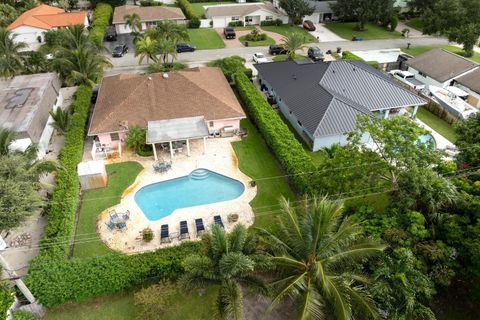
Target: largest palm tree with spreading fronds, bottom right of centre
column 316, row 252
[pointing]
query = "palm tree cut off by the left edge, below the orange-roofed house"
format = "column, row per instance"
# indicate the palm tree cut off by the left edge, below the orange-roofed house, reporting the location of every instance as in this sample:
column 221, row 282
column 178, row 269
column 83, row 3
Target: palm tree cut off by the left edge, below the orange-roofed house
column 11, row 61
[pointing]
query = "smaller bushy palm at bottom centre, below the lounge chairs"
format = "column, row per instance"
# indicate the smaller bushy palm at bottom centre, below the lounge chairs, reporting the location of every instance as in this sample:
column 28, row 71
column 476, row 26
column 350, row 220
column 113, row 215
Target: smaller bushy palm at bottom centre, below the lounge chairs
column 229, row 261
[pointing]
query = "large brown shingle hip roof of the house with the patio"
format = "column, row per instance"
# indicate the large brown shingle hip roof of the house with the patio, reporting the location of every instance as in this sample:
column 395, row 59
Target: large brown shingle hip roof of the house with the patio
column 133, row 100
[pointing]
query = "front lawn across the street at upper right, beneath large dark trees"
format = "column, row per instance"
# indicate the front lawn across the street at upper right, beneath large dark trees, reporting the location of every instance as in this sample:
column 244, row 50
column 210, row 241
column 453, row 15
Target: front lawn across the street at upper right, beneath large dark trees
column 347, row 31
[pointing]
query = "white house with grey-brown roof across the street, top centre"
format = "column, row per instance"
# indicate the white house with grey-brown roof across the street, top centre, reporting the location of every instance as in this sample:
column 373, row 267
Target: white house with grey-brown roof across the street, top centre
column 248, row 13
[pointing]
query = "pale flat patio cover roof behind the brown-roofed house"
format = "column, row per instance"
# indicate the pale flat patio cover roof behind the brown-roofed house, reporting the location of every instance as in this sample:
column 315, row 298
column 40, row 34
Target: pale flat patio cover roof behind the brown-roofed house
column 176, row 129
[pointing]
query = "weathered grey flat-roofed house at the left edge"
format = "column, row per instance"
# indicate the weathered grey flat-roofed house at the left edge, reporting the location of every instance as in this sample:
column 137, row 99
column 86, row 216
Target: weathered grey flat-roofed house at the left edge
column 25, row 102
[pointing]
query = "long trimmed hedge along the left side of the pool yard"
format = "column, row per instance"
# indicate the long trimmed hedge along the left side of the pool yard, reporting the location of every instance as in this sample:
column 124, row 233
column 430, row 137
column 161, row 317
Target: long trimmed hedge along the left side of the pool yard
column 64, row 201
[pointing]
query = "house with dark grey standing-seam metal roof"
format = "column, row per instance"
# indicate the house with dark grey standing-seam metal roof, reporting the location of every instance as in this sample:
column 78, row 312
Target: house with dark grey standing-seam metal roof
column 323, row 100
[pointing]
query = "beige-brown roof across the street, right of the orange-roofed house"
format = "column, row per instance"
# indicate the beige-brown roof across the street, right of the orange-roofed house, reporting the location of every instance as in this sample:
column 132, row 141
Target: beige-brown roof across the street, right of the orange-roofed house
column 156, row 13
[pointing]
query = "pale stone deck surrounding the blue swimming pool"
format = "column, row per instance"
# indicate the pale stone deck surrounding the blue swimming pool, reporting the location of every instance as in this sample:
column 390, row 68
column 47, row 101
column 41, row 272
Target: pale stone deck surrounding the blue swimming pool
column 219, row 157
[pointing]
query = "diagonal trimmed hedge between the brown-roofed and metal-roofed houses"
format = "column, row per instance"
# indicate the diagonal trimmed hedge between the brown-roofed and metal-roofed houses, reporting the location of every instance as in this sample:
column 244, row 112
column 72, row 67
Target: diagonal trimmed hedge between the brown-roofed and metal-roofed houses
column 289, row 152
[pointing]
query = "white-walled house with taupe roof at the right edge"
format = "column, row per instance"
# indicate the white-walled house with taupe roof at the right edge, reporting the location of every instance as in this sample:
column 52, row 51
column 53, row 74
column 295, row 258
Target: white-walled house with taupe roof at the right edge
column 439, row 67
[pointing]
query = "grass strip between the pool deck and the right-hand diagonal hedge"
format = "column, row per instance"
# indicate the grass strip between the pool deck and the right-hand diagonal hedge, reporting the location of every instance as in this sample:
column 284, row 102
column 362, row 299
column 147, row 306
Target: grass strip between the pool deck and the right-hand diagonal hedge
column 256, row 161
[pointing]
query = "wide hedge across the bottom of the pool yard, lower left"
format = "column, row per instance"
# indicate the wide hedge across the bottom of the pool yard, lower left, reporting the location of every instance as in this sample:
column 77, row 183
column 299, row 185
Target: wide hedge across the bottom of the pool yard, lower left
column 59, row 281
